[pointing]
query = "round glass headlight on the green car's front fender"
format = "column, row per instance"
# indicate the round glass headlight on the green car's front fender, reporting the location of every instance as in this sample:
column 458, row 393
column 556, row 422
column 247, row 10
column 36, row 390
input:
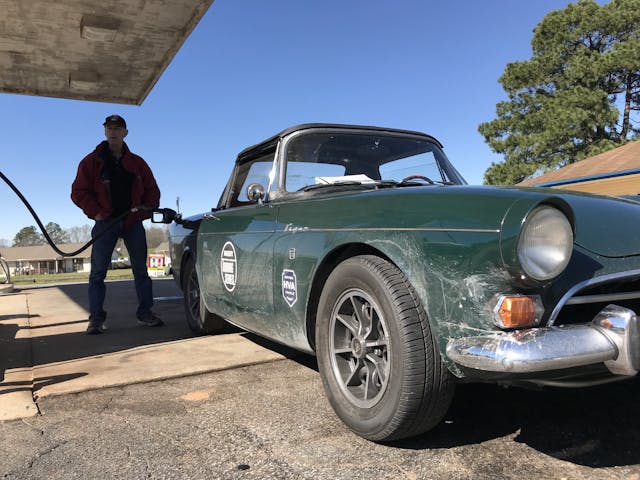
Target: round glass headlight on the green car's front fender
column 545, row 243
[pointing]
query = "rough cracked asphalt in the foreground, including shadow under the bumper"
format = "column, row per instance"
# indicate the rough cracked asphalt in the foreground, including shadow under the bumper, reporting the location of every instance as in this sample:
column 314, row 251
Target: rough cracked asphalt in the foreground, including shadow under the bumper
column 272, row 421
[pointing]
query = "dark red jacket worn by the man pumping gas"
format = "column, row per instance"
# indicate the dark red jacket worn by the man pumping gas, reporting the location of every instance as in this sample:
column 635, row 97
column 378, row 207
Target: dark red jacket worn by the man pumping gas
column 90, row 193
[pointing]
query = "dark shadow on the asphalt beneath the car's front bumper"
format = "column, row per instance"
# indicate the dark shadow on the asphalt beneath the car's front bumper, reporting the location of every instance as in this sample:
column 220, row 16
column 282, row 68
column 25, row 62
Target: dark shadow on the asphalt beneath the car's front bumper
column 594, row 427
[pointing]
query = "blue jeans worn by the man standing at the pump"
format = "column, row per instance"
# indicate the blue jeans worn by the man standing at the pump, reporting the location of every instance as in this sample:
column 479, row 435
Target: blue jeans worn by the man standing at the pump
column 135, row 239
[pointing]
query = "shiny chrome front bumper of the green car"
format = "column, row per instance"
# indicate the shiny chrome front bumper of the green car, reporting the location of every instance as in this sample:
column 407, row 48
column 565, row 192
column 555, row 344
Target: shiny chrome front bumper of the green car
column 613, row 337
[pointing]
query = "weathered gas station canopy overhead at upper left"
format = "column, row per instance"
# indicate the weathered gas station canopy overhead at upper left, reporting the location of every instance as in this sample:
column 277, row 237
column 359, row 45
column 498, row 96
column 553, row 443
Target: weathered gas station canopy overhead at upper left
column 108, row 51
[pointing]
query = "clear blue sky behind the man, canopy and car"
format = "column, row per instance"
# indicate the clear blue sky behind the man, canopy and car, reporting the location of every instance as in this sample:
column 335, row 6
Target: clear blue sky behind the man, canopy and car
column 254, row 67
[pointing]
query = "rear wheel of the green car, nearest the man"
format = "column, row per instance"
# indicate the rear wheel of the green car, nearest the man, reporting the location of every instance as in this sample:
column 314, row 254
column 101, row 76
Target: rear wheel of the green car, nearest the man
column 199, row 319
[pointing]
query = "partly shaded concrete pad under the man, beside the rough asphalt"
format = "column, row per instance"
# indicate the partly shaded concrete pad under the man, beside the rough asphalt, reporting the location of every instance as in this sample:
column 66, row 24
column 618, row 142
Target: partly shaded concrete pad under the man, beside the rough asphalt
column 44, row 349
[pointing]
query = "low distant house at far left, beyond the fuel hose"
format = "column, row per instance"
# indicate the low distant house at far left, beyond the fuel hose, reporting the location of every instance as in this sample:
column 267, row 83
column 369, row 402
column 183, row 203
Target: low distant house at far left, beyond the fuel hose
column 42, row 259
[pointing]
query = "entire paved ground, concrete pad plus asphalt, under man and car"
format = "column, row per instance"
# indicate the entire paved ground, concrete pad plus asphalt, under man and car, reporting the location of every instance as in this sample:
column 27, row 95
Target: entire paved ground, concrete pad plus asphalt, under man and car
column 160, row 403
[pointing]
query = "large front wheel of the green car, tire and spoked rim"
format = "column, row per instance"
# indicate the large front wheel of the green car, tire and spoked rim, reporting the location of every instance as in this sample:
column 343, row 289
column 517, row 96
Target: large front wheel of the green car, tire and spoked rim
column 379, row 364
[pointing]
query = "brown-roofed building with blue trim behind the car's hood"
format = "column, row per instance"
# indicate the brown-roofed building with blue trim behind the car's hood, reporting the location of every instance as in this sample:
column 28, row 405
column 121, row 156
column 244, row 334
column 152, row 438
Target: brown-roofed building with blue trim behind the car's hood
column 615, row 172
